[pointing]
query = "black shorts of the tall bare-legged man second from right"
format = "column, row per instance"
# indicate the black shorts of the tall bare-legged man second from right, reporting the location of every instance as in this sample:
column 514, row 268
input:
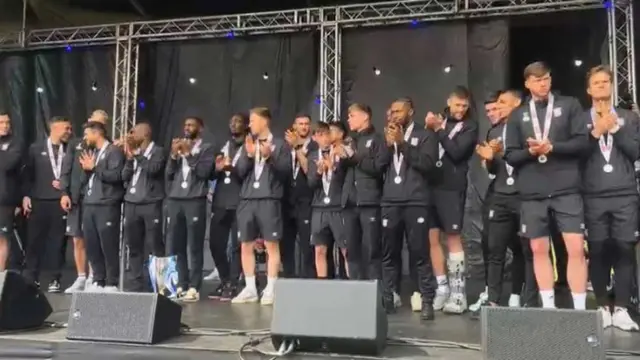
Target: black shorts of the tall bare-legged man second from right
column 567, row 210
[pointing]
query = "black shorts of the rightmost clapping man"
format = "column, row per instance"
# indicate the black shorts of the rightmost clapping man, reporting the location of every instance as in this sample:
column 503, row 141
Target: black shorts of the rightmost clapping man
column 613, row 218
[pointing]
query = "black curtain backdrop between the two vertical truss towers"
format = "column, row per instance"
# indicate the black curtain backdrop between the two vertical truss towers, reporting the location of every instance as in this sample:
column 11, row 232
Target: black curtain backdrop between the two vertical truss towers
column 229, row 78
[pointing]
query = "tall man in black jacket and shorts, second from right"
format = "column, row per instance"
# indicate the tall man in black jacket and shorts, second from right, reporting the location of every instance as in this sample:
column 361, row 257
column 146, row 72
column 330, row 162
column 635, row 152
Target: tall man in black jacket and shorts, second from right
column 545, row 140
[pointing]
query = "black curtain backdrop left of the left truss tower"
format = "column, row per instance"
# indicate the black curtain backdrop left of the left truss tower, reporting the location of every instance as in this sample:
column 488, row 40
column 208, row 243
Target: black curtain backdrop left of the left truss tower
column 68, row 82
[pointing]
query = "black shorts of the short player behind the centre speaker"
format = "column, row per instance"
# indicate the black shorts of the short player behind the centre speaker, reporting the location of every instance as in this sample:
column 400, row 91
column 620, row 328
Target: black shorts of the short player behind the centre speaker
column 327, row 227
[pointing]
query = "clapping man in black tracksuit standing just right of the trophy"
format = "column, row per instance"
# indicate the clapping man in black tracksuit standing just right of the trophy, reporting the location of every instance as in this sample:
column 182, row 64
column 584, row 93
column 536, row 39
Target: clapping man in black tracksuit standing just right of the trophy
column 188, row 171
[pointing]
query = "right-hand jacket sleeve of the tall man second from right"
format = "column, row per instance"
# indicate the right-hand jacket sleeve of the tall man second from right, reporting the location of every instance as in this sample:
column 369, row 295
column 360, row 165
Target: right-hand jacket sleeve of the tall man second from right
column 578, row 142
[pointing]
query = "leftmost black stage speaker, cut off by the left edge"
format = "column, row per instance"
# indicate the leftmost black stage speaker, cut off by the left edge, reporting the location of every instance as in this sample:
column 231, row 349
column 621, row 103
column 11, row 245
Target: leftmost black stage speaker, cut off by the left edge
column 22, row 305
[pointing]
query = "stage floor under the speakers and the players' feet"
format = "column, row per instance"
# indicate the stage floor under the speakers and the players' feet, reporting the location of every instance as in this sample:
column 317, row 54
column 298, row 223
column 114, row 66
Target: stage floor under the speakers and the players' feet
column 207, row 318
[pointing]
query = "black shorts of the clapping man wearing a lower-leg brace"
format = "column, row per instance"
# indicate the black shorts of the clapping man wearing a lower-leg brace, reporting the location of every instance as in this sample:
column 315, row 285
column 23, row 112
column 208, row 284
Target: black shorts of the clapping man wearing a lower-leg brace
column 447, row 210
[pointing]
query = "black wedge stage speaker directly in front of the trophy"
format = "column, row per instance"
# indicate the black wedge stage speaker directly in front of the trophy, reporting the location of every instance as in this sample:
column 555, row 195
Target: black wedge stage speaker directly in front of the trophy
column 138, row 318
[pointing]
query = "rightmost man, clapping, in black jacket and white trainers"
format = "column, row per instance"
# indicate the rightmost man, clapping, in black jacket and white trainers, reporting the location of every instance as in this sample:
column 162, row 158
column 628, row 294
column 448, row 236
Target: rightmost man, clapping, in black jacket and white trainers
column 611, row 197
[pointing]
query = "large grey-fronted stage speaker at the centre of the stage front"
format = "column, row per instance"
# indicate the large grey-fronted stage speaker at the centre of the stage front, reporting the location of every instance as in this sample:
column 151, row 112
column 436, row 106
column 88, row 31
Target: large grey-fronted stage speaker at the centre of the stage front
column 331, row 316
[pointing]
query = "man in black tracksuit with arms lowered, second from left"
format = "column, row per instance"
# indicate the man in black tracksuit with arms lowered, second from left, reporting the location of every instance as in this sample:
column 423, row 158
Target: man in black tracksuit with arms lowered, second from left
column 41, row 203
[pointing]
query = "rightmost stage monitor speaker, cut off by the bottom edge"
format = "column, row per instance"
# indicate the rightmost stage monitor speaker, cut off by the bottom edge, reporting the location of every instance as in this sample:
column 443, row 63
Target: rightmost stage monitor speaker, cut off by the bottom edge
column 541, row 334
